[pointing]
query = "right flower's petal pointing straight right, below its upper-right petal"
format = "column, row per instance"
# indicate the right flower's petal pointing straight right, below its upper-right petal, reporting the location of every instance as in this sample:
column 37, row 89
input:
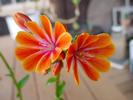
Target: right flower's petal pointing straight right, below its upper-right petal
column 106, row 51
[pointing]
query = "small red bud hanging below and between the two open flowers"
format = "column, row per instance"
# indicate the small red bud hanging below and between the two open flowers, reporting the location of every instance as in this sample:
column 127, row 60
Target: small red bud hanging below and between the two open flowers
column 57, row 66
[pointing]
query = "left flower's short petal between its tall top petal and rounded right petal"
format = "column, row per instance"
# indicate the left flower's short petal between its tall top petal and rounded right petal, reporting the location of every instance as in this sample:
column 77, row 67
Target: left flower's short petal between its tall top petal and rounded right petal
column 59, row 29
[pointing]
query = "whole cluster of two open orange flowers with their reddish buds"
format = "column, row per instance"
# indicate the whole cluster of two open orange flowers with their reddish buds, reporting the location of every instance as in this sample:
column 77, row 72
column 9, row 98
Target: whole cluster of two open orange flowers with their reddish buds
column 42, row 48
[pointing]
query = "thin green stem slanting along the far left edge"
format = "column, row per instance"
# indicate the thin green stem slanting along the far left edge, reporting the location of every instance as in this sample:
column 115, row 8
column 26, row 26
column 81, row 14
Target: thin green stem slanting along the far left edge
column 12, row 75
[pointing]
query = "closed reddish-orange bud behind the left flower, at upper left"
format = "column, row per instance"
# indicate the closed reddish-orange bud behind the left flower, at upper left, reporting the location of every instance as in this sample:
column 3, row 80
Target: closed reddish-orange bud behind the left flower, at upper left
column 21, row 19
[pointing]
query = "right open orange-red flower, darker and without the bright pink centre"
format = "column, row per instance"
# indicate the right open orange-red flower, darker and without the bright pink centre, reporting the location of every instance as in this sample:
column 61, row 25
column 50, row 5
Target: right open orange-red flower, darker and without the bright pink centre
column 91, row 52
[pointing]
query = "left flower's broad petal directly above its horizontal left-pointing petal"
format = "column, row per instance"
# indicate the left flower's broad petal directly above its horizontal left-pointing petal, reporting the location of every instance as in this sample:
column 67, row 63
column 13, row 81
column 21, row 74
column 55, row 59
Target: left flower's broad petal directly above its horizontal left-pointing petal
column 27, row 39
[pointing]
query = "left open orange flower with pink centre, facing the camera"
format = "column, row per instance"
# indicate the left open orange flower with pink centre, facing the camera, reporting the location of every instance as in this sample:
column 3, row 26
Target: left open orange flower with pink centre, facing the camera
column 43, row 47
